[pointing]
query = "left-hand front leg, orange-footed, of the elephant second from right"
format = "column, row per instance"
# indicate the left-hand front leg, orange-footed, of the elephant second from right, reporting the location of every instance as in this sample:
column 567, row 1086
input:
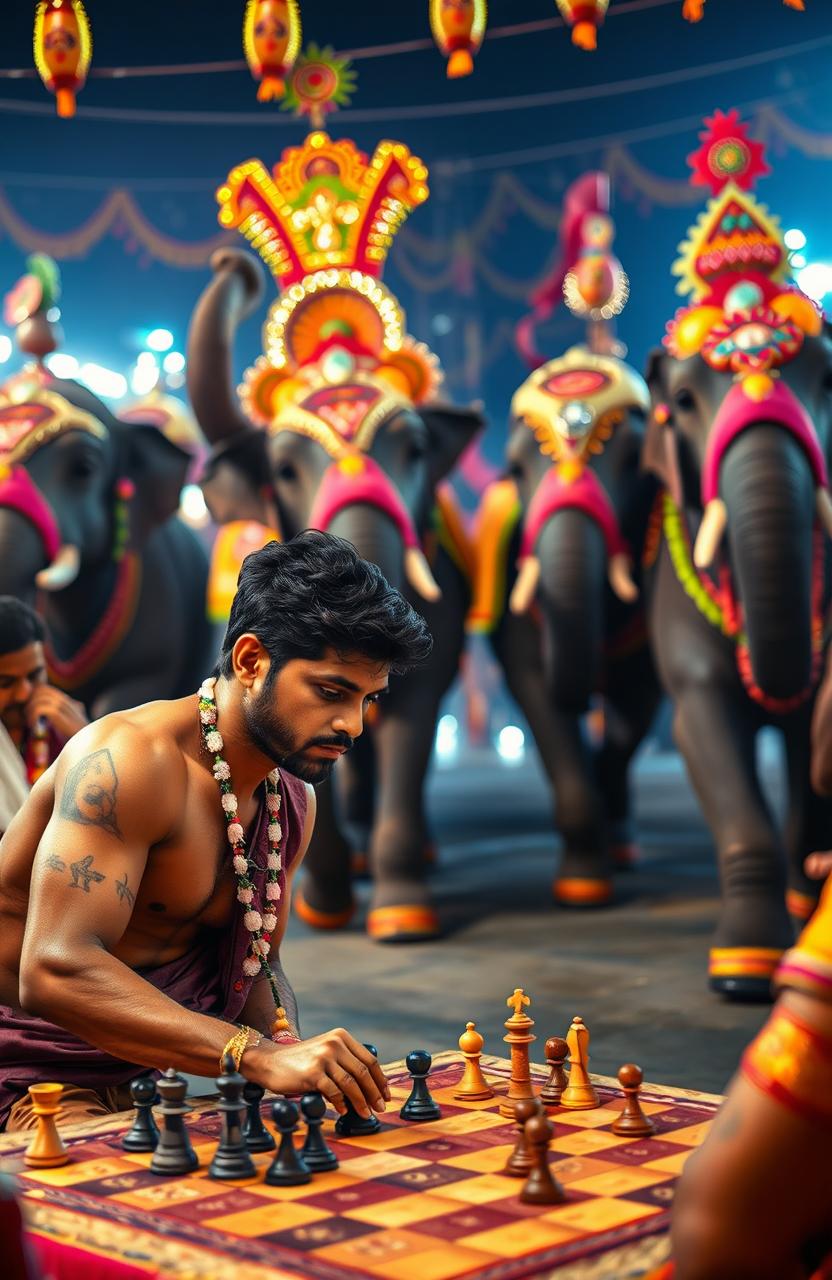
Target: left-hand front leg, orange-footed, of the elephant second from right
column 584, row 877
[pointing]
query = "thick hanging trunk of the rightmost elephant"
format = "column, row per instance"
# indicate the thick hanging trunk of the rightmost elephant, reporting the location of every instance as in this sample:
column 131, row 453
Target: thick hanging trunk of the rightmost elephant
column 767, row 486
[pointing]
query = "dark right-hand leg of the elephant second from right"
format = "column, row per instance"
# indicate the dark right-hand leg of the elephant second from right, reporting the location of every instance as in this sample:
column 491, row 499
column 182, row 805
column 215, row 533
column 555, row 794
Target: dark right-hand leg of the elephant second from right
column 632, row 700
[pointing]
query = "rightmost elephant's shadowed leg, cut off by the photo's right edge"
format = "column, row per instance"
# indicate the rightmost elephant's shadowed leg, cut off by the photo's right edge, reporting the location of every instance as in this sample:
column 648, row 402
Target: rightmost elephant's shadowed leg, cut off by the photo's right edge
column 808, row 824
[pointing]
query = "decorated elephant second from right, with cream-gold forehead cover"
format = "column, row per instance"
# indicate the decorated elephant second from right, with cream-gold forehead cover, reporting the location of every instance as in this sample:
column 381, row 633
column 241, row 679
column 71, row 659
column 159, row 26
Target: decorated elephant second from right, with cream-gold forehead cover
column 556, row 588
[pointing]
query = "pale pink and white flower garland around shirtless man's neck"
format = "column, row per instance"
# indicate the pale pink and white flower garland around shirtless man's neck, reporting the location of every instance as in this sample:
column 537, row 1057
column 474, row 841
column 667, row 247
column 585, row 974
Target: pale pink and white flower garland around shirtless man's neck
column 260, row 925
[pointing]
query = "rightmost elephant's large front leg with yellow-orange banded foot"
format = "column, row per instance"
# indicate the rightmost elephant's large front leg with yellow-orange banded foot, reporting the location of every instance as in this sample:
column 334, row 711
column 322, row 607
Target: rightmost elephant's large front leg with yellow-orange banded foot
column 717, row 739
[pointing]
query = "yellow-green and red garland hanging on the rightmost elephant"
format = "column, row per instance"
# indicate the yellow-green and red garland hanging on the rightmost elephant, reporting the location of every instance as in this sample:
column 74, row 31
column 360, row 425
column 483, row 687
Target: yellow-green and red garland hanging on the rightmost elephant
column 720, row 607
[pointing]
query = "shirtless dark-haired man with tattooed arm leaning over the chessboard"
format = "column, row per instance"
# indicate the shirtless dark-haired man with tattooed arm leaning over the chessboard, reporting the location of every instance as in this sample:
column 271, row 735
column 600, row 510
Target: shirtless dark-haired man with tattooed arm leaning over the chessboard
column 126, row 927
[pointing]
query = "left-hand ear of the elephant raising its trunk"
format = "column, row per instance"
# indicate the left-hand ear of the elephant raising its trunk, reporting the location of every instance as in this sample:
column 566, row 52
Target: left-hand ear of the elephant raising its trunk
column 237, row 479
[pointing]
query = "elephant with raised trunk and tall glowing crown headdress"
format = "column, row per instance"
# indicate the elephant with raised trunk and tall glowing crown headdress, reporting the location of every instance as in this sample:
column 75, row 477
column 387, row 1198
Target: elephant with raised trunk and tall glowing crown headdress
column 339, row 428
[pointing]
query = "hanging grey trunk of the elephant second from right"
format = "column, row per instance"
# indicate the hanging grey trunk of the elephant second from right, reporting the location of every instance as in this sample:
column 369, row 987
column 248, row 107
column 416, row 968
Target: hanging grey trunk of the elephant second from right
column 572, row 593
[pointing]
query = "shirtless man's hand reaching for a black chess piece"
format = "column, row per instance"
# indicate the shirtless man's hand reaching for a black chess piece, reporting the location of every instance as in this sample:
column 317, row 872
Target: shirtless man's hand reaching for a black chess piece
column 333, row 1064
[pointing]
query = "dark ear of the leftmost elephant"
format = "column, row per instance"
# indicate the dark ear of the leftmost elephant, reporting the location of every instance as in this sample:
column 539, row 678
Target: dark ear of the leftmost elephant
column 158, row 468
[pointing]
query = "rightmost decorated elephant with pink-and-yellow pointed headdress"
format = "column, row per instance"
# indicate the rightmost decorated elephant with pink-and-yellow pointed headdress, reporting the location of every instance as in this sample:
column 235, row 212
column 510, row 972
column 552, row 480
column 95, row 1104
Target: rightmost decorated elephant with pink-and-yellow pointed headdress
column 740, row 440
